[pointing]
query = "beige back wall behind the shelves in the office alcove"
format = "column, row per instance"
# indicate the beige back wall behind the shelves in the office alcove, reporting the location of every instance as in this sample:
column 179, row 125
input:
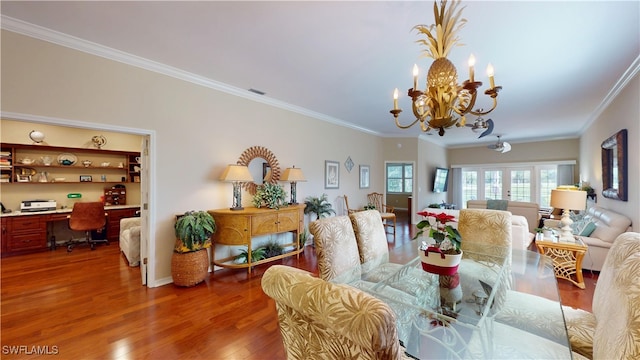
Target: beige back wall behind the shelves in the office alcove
column 17, row 132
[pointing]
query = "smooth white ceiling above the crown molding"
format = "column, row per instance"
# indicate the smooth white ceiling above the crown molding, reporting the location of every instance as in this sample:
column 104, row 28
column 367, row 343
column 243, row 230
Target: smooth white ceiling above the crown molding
column 559, row 62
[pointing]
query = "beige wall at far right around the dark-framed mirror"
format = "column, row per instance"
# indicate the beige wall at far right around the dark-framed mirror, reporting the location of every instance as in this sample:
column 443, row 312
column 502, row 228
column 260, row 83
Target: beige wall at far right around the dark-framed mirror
column 622, row 113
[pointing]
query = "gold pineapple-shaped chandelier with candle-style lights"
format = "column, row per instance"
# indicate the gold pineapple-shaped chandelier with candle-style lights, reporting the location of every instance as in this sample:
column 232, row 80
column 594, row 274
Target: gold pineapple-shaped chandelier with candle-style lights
column 444, row 103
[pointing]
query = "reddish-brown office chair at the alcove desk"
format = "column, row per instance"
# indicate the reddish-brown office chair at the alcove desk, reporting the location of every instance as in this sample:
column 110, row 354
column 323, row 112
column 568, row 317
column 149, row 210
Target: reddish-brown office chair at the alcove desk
column 88, row 217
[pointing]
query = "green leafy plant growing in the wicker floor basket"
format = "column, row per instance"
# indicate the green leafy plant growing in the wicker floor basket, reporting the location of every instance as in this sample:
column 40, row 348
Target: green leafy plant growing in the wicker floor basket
column 193, row 231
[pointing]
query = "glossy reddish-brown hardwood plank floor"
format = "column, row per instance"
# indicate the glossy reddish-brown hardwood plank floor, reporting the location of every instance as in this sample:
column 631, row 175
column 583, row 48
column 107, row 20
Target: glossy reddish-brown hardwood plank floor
column 90, row 305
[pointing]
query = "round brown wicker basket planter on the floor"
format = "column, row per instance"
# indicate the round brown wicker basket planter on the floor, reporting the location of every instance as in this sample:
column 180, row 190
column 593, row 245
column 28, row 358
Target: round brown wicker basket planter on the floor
column 189, row 269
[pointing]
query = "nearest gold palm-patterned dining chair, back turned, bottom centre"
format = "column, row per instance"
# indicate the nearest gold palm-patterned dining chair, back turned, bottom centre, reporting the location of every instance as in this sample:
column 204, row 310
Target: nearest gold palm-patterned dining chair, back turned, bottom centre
column 323, row 320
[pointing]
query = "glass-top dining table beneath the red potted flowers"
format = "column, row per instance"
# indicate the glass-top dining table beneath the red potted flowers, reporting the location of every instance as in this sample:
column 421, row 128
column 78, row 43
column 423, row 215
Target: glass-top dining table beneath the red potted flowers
column 454, row 316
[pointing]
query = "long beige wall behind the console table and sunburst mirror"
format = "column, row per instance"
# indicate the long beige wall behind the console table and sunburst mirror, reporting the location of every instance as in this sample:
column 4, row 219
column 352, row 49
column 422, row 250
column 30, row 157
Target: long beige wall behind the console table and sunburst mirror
column 196, row 130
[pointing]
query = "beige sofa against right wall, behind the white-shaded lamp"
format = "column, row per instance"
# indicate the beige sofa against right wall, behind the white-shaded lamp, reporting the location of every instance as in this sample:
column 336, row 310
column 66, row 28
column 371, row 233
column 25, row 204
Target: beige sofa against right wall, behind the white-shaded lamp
column 609, row 225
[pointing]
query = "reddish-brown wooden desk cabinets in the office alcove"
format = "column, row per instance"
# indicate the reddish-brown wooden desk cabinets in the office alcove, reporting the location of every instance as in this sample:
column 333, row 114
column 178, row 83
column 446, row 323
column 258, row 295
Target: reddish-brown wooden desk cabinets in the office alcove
column 24, row 233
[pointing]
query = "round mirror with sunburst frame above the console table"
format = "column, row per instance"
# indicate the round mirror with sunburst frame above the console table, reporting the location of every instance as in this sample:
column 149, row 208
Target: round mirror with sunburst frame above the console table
column 262, row 165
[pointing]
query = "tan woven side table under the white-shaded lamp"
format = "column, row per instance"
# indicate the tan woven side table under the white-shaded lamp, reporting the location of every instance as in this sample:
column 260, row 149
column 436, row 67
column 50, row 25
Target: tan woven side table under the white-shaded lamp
column 567, row 259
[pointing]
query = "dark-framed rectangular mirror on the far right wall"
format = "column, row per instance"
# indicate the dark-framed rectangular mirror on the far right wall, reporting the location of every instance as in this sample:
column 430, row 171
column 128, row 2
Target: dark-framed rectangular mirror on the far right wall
column 614, row 166
